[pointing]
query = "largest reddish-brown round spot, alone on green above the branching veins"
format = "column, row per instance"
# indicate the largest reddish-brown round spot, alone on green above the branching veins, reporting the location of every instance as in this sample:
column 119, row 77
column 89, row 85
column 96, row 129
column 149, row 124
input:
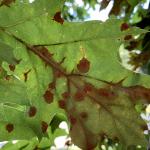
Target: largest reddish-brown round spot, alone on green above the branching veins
column 84, row 65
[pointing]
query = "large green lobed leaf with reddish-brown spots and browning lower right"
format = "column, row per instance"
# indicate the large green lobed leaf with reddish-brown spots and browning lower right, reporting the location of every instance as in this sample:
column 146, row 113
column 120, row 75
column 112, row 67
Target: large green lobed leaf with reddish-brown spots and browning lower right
column 50, row 66
